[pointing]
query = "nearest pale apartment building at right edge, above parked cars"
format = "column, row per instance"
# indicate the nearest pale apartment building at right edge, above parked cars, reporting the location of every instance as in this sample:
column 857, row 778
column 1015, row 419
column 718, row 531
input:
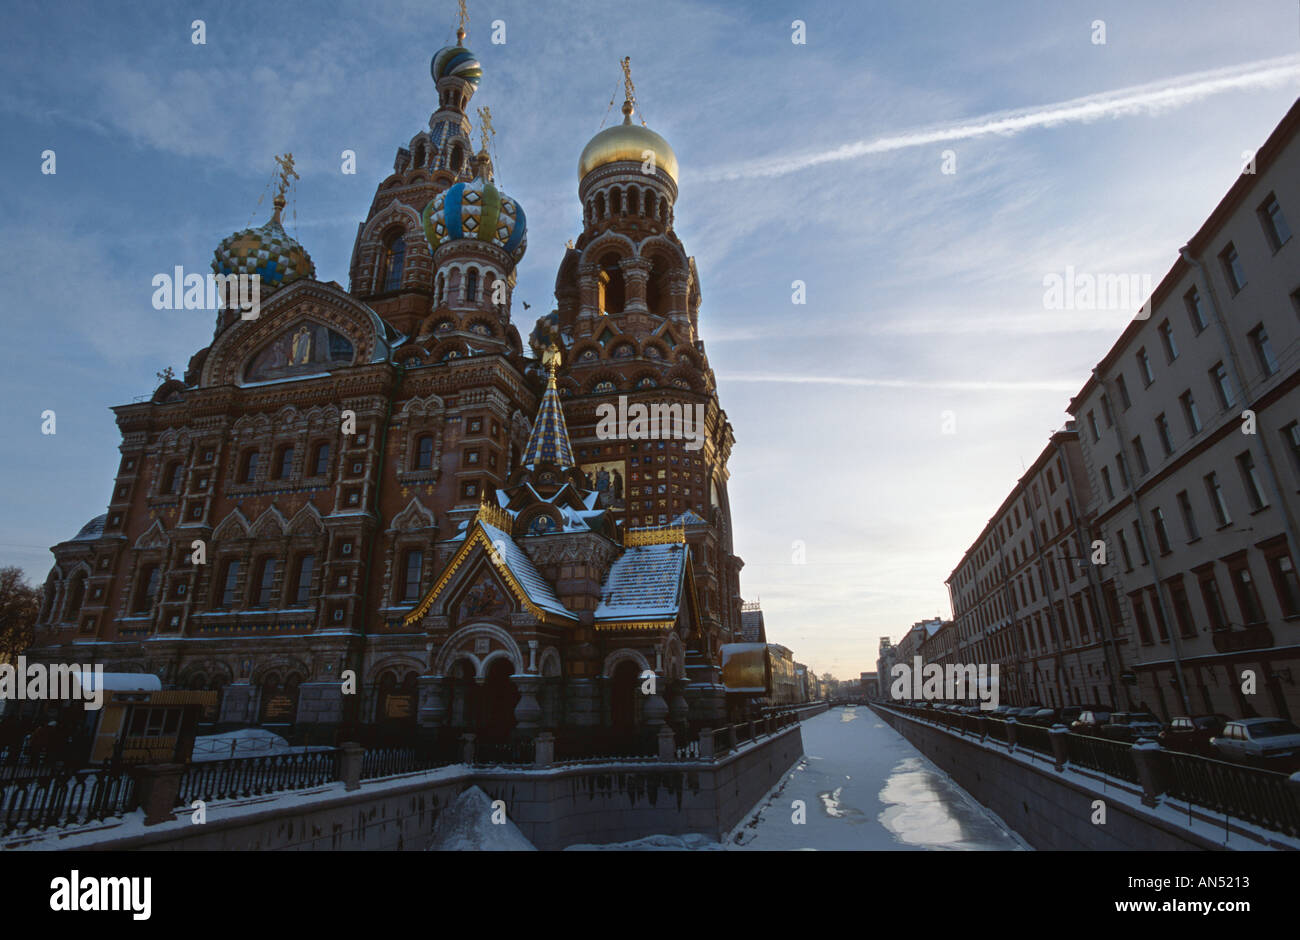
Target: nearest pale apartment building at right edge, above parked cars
column 1190, row 441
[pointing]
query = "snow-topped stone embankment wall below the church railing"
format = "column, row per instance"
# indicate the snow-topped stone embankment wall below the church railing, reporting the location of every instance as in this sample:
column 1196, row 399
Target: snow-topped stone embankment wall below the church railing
column 553, row 808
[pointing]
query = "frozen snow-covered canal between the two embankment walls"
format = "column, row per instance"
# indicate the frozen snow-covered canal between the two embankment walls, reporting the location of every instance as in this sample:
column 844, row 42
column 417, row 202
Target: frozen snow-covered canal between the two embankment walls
column 865, row 787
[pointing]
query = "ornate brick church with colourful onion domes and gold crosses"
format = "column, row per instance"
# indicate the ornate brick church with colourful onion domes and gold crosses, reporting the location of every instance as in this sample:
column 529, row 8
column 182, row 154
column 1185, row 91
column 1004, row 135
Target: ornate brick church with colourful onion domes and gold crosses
column 372, row 512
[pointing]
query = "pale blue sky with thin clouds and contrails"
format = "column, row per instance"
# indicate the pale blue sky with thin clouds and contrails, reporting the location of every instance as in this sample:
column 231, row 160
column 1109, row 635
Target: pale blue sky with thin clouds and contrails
column 922, row 167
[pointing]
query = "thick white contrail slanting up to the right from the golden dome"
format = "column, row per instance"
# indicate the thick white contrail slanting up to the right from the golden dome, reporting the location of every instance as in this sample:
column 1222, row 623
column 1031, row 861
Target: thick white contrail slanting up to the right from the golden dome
column 1139, row 99
